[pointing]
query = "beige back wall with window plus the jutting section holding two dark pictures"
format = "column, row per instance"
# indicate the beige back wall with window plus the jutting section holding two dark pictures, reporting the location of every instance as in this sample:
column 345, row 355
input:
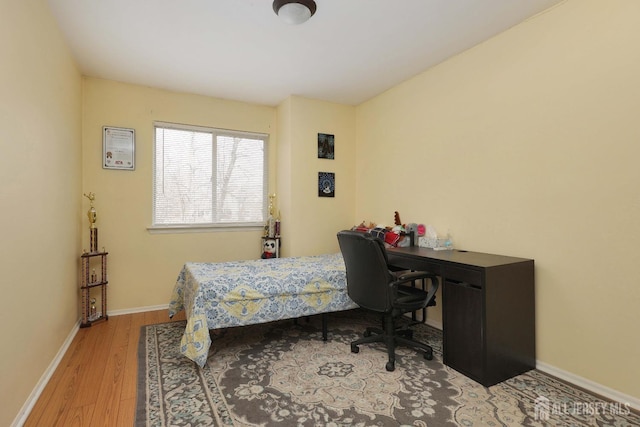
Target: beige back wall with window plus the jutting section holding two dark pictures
column 143, row 266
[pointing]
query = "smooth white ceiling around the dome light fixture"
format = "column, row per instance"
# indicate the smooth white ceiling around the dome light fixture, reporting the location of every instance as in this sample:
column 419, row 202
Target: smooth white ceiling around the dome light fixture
column 348, row 52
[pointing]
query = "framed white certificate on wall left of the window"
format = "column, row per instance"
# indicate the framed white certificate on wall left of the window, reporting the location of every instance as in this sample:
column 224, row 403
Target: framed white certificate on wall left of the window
column 118, row 148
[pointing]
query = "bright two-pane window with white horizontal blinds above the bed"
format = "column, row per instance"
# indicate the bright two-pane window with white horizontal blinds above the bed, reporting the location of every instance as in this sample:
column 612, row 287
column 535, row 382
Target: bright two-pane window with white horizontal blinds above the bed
column 208, row 177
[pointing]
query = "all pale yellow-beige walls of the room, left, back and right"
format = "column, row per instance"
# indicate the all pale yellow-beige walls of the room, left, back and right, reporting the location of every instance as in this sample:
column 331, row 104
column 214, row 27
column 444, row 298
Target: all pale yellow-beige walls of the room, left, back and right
column 525, row 145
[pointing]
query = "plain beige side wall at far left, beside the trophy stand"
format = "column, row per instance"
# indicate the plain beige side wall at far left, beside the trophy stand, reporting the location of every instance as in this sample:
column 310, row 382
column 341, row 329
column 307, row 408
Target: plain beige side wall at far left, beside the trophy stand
column 40, row 176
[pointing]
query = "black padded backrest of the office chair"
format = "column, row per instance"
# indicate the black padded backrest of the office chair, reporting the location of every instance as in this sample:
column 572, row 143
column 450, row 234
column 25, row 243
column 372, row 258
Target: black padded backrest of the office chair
column 368, row 276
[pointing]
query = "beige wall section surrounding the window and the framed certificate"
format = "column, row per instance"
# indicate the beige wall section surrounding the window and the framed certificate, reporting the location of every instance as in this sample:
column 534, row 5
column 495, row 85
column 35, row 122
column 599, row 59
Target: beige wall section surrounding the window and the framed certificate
column 143, row 267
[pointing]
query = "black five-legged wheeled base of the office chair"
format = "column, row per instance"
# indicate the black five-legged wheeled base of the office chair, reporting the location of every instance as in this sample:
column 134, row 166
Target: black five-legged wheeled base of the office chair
column 391, row 337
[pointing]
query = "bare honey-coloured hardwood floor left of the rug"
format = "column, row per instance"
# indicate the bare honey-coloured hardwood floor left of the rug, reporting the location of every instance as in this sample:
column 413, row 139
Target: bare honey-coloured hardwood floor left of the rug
column 95, row 382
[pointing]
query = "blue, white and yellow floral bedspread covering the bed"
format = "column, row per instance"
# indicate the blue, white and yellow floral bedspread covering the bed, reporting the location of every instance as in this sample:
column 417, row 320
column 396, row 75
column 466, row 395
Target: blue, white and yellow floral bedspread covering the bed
column 238, row 293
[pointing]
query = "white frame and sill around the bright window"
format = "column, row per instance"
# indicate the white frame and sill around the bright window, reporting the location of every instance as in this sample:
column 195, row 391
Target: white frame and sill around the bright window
column 213, row 226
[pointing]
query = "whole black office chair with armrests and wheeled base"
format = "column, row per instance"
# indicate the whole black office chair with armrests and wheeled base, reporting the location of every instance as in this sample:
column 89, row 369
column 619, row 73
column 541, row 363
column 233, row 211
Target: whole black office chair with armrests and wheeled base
column 372, row 286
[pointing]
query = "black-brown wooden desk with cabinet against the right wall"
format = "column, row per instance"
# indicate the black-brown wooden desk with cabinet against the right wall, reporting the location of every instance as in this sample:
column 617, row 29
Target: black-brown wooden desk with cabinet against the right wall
column 488, row 310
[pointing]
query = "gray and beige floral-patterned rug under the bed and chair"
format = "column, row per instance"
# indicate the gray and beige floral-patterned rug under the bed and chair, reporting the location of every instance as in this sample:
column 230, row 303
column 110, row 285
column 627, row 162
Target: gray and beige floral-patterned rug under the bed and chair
column 283, row 374
